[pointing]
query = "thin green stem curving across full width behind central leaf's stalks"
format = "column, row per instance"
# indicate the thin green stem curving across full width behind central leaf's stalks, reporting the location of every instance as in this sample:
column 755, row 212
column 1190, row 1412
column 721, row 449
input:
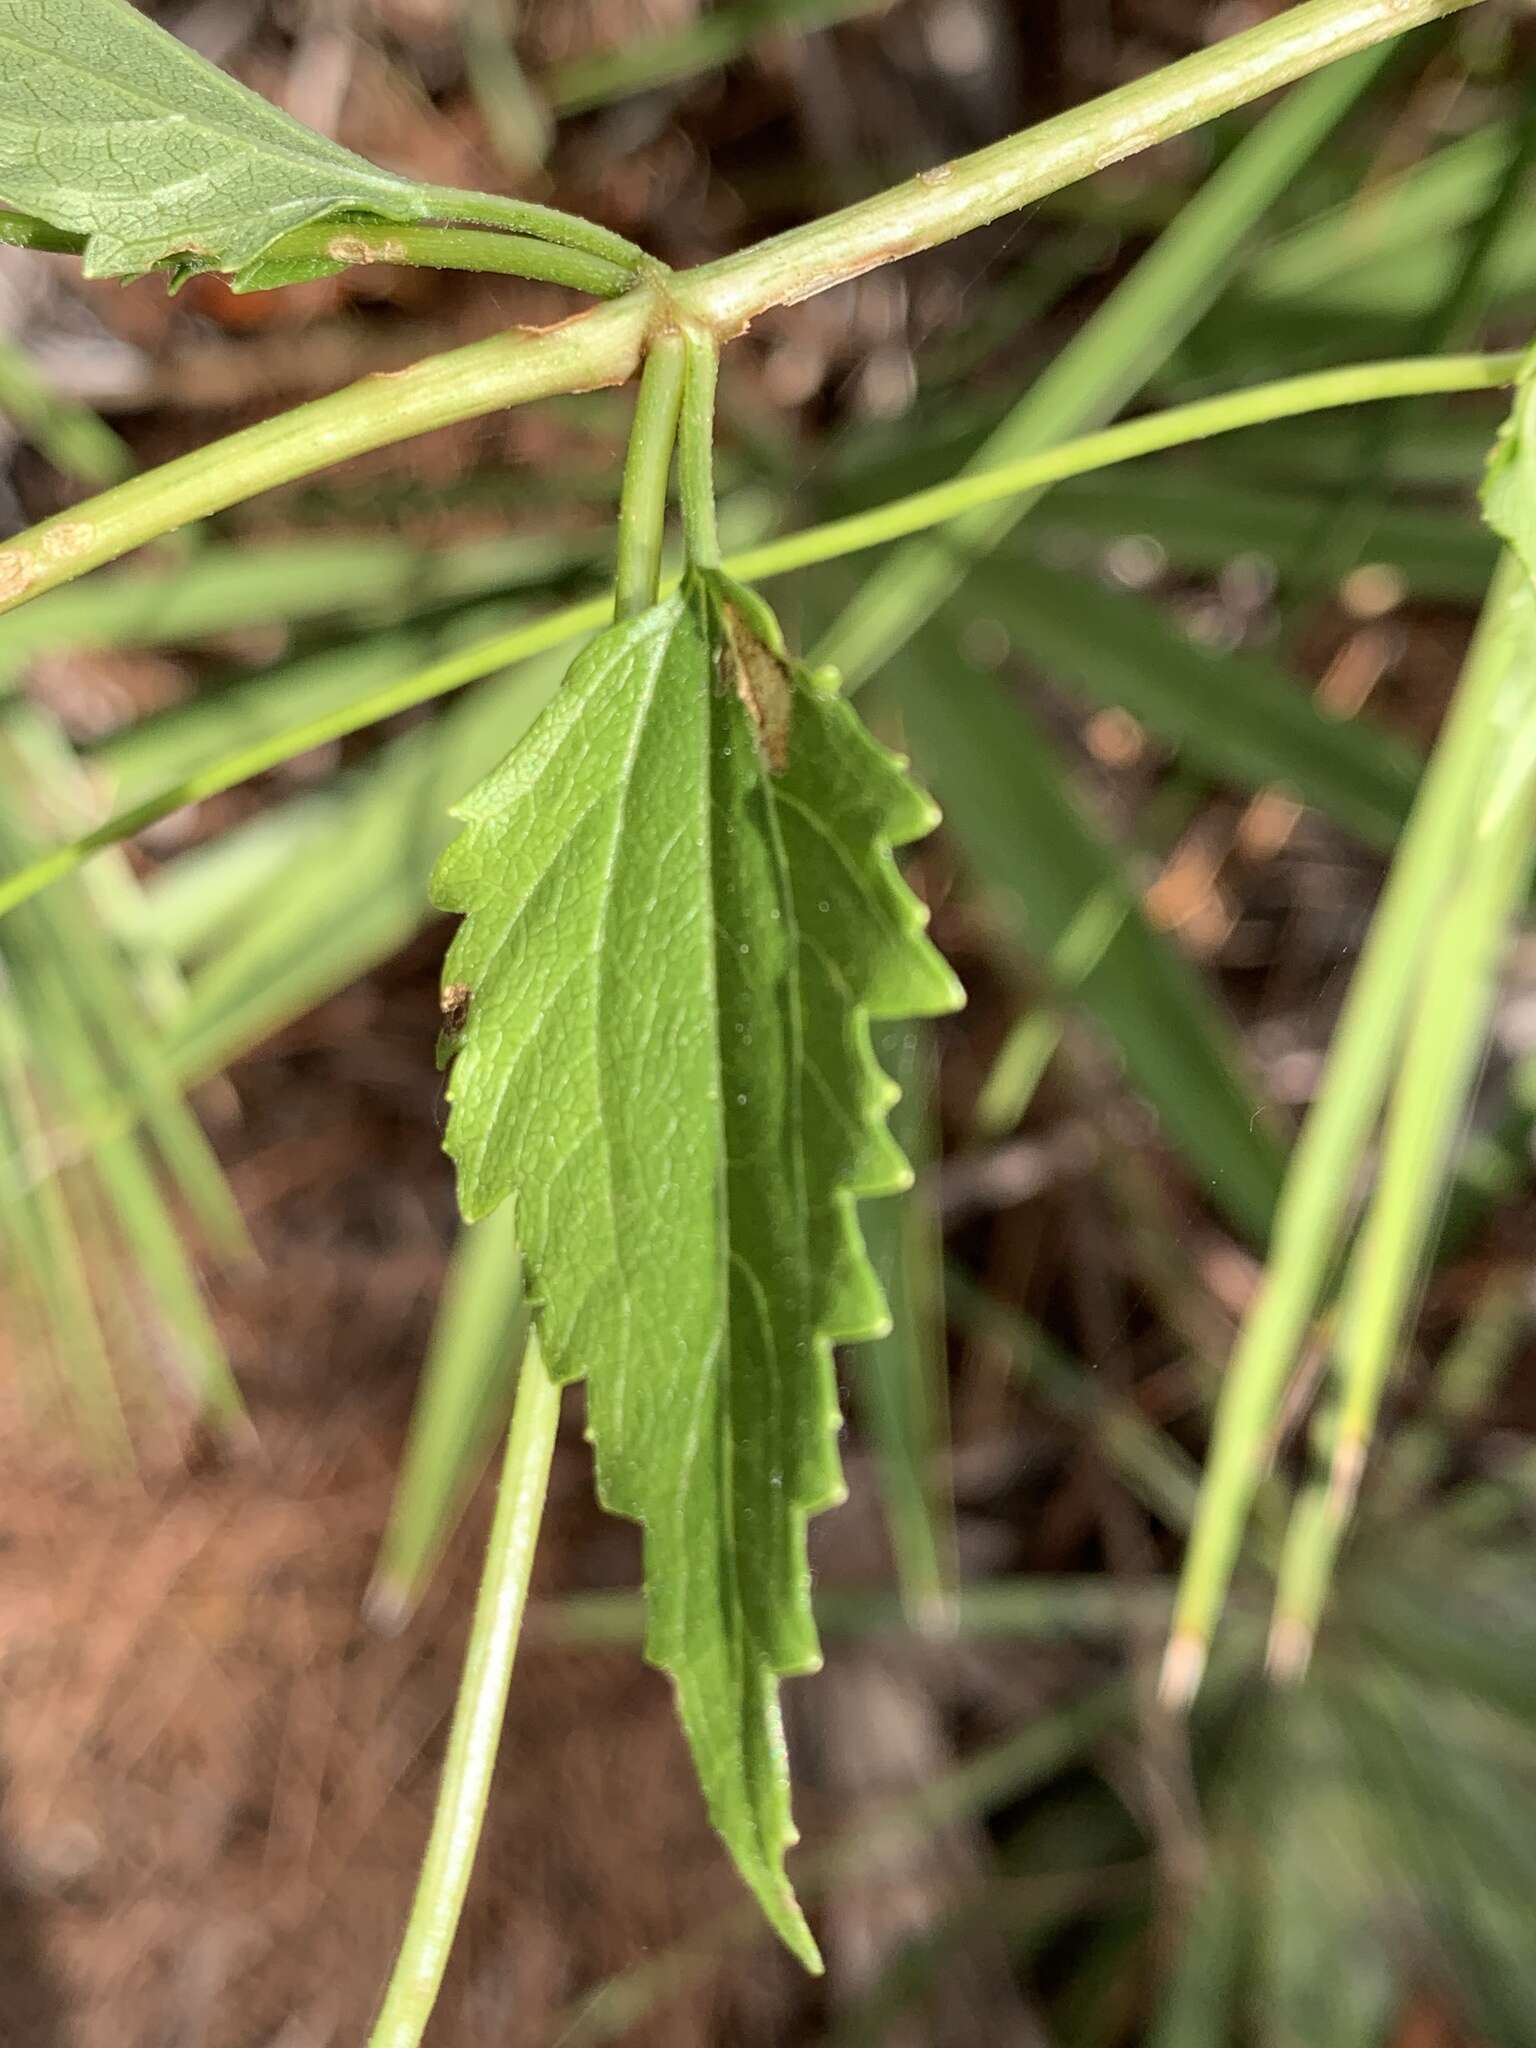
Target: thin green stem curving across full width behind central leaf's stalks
column 794, row 552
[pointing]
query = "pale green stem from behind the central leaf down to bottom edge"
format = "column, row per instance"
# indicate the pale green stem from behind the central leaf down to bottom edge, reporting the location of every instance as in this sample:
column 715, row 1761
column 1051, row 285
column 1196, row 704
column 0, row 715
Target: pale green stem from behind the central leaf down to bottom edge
column 478, row 1711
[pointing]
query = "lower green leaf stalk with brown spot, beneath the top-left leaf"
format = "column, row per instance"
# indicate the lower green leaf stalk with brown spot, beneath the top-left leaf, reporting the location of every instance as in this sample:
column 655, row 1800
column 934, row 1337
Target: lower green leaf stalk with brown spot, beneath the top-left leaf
column 423, row 249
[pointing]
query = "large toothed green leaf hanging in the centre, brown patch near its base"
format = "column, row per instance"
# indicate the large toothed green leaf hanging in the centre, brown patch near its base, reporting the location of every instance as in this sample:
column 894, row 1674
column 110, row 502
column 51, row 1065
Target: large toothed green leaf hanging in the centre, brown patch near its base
column 673, row 953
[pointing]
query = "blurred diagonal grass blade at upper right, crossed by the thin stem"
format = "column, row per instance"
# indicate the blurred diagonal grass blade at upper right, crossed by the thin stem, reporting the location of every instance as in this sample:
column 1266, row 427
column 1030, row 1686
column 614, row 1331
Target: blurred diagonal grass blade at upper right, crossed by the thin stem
column 1109, row 361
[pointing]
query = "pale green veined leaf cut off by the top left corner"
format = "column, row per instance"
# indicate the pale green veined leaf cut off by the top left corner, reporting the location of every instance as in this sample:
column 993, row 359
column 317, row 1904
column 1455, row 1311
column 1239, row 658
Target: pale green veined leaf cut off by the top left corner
column 114, row 130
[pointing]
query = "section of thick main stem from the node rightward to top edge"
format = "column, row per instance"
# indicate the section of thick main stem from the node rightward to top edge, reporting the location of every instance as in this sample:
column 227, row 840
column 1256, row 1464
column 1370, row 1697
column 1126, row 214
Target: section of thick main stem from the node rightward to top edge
column 951, row 200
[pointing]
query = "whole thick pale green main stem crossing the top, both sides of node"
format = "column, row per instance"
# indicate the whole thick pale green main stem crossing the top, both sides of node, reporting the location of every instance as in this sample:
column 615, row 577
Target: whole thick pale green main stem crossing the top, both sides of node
column 607, row 343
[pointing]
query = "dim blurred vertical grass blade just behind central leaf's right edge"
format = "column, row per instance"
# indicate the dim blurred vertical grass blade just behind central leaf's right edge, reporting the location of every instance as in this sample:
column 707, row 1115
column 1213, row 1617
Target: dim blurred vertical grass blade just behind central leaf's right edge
column 902, row 1379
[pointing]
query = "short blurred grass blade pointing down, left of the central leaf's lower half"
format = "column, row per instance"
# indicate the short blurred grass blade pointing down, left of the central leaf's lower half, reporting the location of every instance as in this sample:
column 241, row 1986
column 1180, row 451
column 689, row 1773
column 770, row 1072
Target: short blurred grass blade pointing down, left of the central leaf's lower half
column 462, row 1410
